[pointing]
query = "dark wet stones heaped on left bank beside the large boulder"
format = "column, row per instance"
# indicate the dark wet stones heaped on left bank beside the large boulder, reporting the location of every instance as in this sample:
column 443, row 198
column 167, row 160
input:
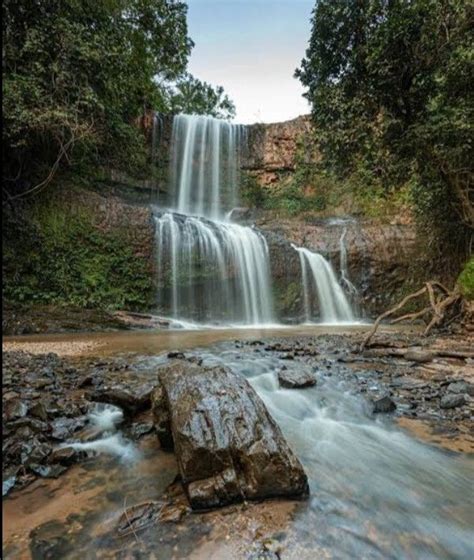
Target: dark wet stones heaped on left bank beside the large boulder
column 47, row 403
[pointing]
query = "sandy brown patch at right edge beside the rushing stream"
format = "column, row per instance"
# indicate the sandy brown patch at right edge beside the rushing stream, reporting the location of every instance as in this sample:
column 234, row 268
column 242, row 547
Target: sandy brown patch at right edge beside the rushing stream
column 461, row 442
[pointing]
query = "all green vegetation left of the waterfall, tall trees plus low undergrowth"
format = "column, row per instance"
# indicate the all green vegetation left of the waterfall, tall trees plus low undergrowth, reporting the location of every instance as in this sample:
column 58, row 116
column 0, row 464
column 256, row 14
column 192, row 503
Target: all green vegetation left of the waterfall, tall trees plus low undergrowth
column 78, row 76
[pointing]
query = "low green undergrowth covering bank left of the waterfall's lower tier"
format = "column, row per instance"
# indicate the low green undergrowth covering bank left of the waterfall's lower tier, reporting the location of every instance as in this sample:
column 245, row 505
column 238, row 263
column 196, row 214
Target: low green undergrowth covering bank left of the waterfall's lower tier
column 52, row 256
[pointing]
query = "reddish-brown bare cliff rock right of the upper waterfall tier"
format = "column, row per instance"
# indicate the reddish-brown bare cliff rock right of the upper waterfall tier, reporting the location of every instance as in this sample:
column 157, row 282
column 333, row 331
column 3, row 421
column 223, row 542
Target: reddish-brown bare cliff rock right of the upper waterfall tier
column 272, row 149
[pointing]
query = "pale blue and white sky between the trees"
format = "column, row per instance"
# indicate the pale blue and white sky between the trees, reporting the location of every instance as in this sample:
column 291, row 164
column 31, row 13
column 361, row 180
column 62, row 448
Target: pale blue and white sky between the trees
column 252, row 48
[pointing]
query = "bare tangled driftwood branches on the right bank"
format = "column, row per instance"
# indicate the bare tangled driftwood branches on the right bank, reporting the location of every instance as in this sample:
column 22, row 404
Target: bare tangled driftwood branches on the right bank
column 441, row 302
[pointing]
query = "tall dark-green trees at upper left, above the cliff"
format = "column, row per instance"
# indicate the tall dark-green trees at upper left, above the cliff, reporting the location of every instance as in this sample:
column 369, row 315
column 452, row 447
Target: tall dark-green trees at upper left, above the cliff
column 78, row 75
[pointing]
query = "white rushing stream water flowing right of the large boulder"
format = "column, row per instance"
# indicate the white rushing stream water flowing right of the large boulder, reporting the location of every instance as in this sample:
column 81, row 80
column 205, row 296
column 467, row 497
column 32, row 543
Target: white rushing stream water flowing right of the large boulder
column 376, row 492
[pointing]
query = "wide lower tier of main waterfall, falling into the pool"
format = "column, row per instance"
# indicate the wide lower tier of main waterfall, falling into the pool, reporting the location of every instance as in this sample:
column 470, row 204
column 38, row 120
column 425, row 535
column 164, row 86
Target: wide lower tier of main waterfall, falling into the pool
column 231, row 260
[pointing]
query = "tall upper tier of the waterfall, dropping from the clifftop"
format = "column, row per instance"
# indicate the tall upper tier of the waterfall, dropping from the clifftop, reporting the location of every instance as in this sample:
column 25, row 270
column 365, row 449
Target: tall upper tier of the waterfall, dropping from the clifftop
column 205, row 163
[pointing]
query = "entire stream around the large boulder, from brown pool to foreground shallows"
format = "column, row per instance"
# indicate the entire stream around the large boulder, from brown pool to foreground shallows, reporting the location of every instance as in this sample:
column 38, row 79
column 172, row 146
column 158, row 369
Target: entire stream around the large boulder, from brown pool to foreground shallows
column 376, row 492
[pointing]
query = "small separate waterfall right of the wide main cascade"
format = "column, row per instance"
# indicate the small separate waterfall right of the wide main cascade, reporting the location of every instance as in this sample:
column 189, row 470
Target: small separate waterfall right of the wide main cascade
column 317, row 272
